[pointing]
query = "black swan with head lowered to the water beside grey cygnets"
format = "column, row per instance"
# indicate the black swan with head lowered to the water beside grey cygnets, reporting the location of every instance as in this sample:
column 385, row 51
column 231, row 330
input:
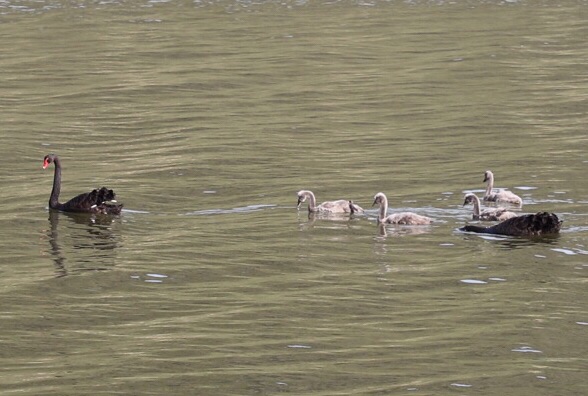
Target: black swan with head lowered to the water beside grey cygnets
column 526, row 225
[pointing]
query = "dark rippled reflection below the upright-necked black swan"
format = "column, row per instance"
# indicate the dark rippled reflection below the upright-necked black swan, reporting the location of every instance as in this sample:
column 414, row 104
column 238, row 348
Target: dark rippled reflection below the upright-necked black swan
column 93, row 248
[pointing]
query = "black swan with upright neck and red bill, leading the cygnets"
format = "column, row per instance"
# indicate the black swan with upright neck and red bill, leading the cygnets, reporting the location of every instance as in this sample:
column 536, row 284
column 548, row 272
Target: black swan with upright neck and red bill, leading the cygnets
column 96, row 201
